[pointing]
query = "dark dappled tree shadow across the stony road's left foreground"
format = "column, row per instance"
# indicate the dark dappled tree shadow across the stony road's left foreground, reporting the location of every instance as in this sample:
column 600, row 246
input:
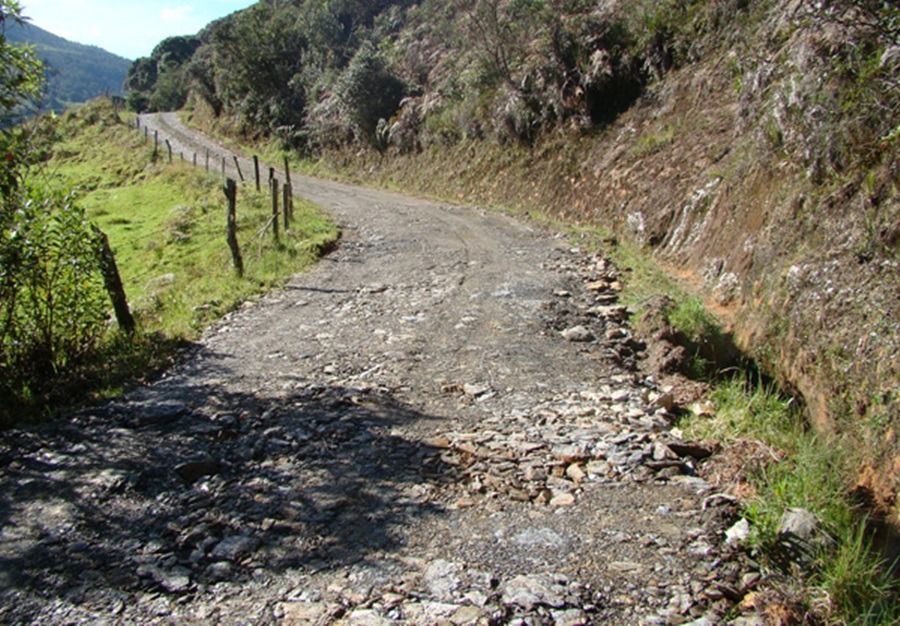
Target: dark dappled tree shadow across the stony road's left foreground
column 215, row 487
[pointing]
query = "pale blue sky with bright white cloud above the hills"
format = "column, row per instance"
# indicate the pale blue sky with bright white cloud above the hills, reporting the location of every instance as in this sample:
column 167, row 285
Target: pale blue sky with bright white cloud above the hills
column 128, row 28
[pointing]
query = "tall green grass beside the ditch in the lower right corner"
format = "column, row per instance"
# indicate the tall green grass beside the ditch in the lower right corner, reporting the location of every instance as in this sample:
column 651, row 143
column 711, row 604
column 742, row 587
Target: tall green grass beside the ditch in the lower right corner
column 849, row 583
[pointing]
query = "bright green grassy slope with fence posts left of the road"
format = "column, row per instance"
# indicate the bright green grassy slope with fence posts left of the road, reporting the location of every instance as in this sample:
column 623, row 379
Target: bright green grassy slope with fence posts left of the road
column 166, row 224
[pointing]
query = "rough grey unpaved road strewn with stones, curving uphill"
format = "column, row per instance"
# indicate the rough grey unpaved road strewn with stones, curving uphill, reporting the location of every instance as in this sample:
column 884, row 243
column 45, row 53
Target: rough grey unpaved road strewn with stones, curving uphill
column 404, row 434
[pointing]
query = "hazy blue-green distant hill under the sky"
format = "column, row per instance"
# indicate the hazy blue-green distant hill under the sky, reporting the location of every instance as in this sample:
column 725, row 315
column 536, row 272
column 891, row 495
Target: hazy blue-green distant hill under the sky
column 75, row 72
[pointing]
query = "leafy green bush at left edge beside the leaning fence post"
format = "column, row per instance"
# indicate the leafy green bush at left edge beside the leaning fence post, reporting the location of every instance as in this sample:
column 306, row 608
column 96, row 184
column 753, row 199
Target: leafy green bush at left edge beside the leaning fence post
column 53, row 309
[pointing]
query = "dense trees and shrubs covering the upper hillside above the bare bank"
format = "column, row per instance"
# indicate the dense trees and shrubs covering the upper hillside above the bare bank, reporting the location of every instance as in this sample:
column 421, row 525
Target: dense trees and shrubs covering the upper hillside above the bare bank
column 407, row 73
